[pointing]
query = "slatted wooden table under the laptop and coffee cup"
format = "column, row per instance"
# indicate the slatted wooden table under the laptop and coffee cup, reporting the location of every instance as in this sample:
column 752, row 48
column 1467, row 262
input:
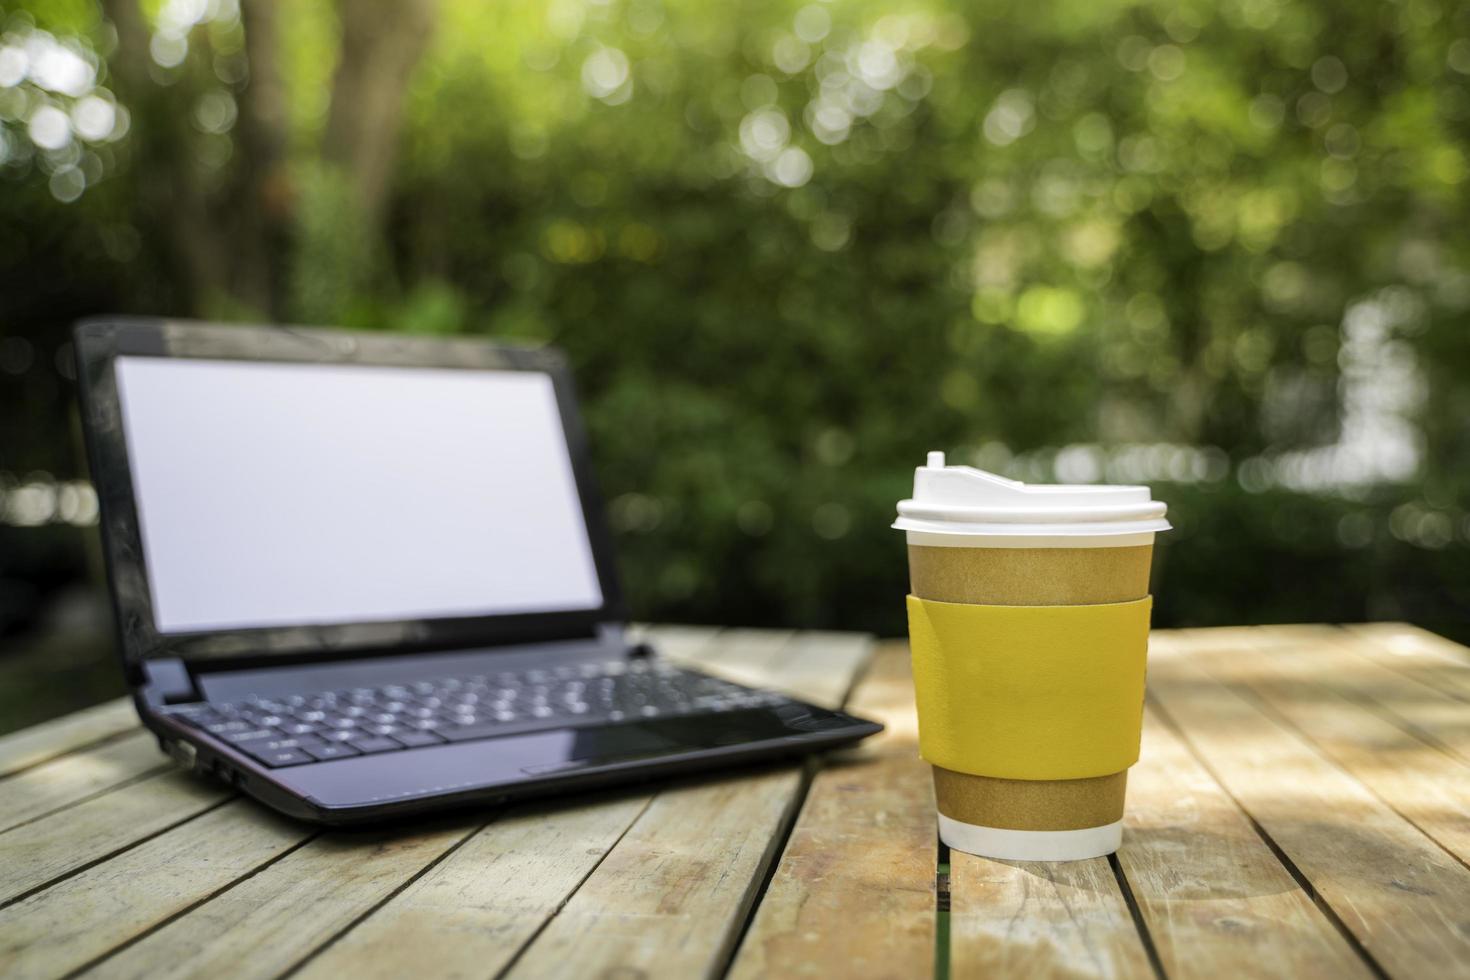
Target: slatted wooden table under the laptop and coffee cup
column 1300, row 810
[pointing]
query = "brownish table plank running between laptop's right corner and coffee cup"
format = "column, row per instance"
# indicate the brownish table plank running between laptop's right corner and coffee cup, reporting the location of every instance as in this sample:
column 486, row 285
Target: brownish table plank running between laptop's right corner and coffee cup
column 855, row 891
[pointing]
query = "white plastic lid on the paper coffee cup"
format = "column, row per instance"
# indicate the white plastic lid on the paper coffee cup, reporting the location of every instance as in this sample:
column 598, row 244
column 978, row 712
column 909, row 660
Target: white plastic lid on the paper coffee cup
column 962, row 500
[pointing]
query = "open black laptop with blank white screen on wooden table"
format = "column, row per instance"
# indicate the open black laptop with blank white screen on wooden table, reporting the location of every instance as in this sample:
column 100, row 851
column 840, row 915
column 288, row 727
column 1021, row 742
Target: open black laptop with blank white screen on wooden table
column 361, row 577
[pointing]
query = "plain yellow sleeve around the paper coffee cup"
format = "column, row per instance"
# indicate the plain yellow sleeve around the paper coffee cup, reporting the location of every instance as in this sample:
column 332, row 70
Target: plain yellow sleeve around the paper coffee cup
column 1030, row 691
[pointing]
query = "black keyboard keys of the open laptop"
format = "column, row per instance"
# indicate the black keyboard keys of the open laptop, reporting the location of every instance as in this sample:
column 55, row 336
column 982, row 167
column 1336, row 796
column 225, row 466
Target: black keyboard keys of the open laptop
column 317, row 728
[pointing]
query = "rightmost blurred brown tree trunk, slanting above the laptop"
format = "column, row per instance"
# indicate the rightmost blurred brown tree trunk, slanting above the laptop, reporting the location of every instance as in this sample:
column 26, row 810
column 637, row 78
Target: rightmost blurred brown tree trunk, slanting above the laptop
column 383, row 42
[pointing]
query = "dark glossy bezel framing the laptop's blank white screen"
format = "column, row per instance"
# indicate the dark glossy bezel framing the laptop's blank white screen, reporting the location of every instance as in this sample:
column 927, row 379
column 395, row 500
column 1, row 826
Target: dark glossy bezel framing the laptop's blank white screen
column 102, row 342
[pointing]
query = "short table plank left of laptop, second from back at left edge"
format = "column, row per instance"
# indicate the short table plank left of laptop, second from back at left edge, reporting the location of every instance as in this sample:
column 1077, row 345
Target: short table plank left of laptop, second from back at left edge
column 61, row 782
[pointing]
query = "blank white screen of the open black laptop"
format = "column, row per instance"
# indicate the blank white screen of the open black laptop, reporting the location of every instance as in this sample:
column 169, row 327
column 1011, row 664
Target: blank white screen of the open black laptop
column 276, row 494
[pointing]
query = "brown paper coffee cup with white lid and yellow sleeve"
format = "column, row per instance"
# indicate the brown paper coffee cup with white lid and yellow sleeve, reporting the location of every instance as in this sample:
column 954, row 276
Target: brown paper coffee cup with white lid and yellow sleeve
column 984, row 541
